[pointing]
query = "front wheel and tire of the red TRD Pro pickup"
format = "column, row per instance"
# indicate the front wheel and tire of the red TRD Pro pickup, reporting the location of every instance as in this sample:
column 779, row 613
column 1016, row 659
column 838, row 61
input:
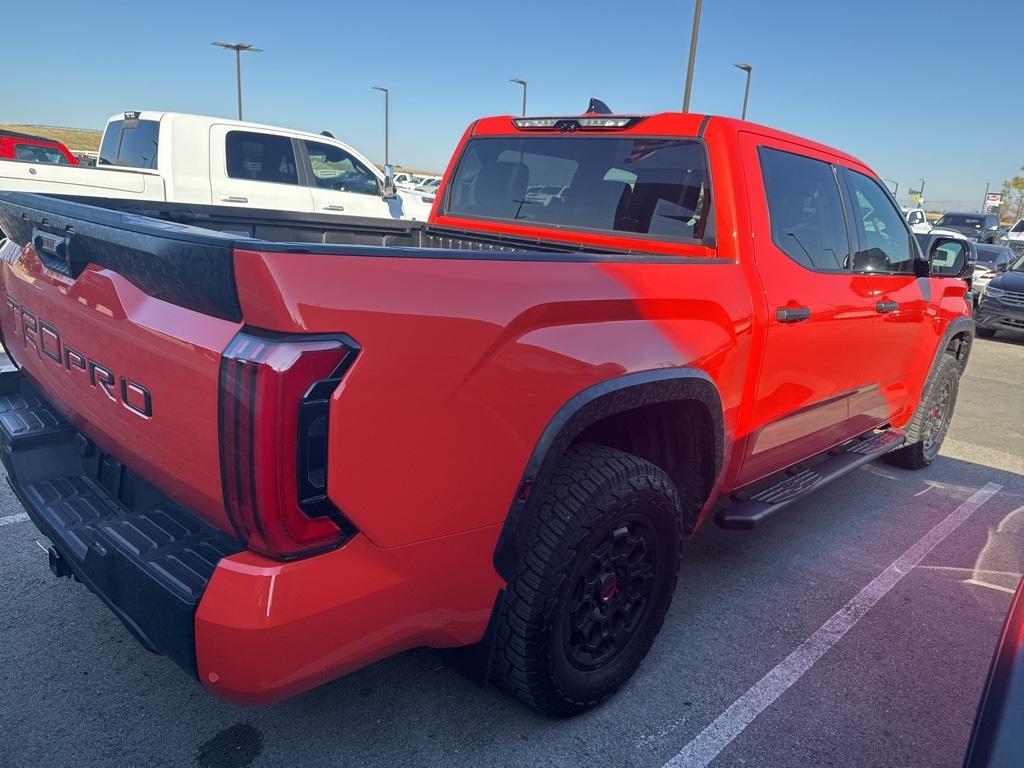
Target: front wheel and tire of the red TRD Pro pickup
column 924, row 433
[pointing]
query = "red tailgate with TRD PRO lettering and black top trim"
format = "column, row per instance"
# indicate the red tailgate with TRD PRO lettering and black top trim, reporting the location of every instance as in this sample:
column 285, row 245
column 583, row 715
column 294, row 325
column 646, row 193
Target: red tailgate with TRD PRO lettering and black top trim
column 122, row 332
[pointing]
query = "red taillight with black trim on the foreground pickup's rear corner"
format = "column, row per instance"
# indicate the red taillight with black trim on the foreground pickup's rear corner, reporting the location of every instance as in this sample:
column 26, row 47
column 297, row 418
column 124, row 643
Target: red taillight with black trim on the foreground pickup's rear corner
column 275, row 399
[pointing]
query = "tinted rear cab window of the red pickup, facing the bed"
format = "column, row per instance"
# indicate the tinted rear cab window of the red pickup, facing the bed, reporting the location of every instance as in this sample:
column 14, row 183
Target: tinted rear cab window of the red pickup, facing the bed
column 654, row 187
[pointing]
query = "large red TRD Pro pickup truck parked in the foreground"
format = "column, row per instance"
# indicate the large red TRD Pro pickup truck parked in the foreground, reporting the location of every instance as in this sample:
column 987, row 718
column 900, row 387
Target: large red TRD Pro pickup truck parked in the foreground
column 282, row 450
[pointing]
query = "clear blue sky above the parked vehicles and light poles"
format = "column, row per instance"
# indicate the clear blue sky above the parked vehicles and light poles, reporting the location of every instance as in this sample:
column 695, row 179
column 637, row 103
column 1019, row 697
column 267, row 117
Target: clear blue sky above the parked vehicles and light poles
column 916, row 90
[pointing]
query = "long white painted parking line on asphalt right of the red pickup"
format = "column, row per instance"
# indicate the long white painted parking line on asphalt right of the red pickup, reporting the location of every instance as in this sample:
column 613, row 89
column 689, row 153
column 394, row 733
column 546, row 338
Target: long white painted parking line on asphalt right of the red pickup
column 713, row 740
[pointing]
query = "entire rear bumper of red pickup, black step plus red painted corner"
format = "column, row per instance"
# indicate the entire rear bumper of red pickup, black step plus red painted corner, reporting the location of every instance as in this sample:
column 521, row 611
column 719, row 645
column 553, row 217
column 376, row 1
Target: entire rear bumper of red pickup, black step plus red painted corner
column 254, row 631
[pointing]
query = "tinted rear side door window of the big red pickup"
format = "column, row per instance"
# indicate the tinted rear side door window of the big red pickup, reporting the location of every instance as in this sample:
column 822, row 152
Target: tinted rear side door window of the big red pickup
column 805, row 207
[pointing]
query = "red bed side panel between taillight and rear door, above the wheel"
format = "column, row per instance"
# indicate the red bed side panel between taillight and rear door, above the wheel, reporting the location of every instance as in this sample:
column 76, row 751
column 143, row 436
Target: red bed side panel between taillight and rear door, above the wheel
column 464, row 363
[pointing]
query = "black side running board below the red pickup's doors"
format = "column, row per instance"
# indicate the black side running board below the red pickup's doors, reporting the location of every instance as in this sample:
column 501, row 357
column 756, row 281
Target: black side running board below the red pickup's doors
column 800, row 483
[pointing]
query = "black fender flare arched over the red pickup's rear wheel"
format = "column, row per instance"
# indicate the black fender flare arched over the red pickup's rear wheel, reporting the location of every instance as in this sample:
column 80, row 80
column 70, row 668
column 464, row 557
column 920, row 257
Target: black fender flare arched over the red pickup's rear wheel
column 586, row 408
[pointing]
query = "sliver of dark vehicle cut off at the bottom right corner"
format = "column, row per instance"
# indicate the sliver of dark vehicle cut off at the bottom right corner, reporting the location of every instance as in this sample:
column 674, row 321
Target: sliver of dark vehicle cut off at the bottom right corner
column 998, row 739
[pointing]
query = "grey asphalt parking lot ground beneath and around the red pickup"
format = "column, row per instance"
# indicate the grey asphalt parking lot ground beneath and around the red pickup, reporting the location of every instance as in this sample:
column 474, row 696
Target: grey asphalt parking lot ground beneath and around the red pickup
column 855, row 630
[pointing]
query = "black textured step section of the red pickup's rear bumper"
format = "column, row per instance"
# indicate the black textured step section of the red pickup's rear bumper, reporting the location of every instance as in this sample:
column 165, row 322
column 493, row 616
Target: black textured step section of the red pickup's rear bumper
column 145, row 557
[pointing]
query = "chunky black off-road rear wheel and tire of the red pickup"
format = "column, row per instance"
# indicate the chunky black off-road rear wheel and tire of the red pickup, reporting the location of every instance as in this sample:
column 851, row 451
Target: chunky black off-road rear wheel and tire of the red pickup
column 599, row 500
